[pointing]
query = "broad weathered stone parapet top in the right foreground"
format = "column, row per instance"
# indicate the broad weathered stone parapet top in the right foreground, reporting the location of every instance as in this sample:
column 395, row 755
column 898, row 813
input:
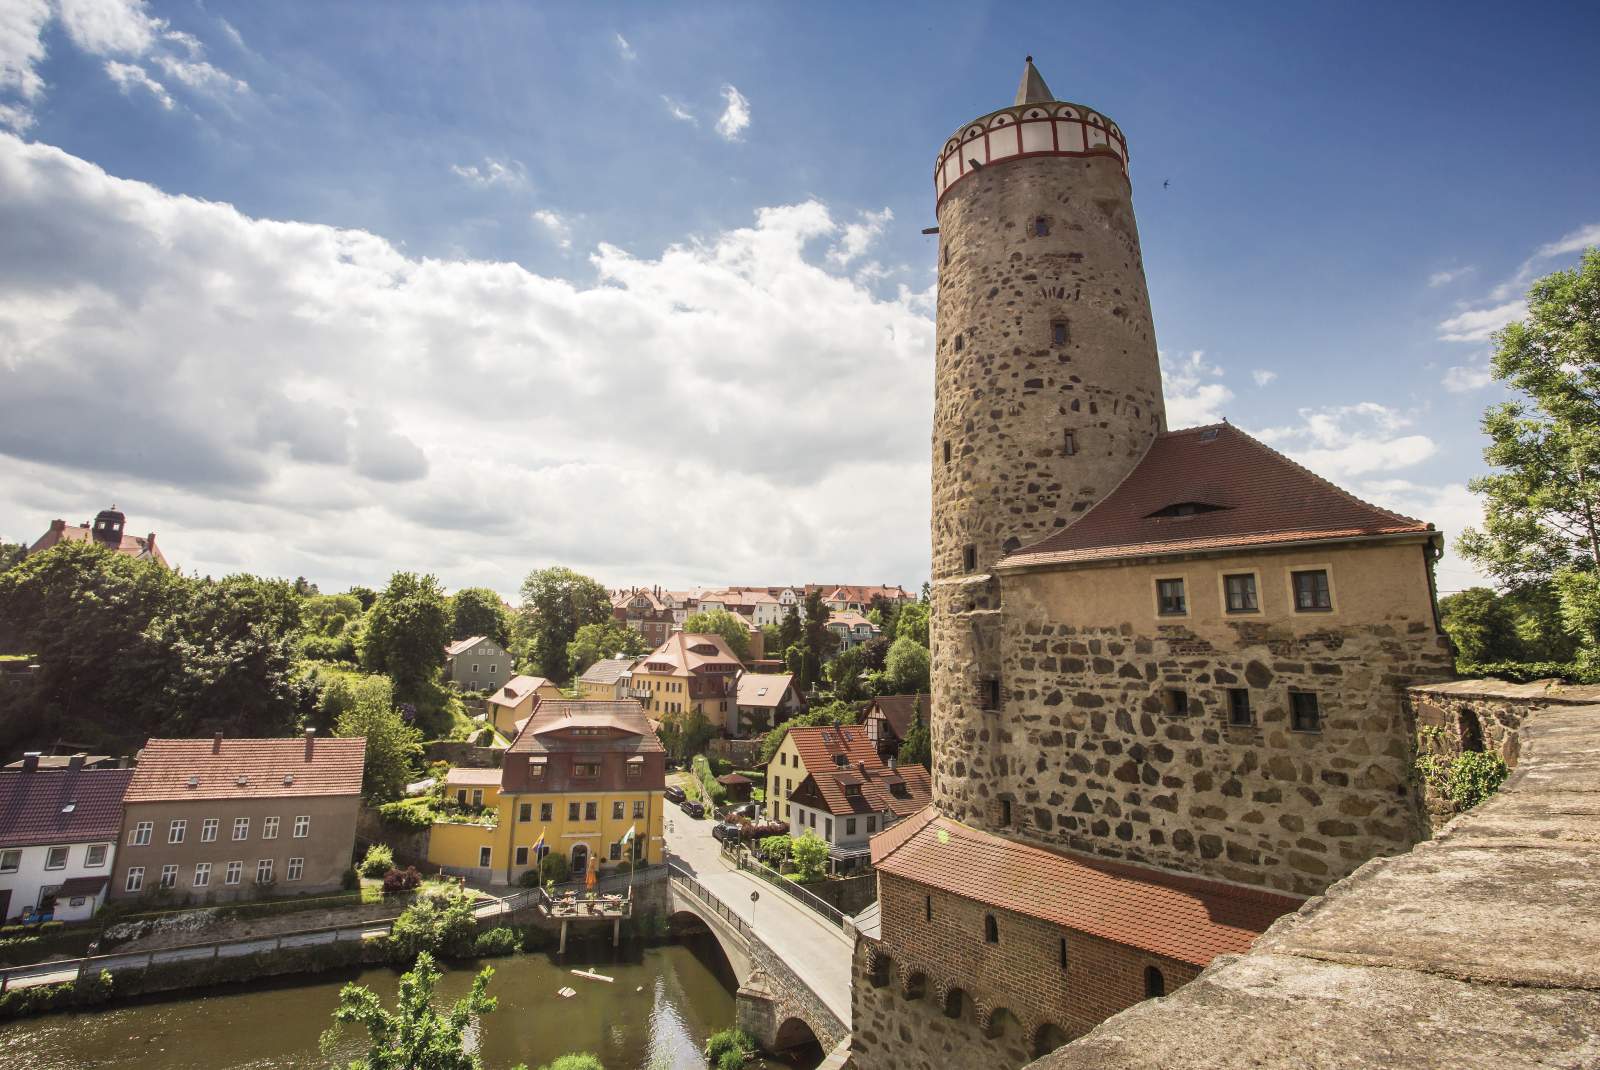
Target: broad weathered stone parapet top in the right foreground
column 1478, row 951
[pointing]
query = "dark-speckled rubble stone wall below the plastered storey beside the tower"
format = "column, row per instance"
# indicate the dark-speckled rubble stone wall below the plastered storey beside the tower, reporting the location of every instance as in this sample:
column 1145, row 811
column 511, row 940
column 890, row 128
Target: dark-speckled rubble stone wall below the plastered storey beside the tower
column 1089, row 759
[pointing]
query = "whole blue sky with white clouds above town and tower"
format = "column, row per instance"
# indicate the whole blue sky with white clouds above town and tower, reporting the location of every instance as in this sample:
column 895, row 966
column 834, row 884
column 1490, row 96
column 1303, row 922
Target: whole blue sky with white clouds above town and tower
column 334, row 290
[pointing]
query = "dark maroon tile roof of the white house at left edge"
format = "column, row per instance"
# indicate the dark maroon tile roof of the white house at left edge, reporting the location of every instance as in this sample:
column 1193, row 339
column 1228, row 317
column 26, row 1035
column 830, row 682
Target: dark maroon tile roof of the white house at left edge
column 34, row 805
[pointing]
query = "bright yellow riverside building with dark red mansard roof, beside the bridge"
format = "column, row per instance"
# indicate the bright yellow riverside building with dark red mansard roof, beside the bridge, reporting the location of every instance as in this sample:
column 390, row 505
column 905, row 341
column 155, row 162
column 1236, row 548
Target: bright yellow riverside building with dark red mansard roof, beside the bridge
column 575, row 781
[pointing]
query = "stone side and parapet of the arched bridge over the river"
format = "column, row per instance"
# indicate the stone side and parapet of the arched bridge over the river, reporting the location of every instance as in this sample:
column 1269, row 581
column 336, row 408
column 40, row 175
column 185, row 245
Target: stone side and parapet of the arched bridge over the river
column 775, row 1004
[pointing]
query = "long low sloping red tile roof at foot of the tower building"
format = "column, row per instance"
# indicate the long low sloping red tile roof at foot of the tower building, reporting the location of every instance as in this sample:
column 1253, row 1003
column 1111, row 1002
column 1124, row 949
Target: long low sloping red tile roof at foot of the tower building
column 1180, row 917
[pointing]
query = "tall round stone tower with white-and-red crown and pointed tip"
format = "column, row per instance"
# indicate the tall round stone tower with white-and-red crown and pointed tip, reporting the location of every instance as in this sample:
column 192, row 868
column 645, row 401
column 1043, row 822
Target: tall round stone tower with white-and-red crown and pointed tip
column 1047, row 386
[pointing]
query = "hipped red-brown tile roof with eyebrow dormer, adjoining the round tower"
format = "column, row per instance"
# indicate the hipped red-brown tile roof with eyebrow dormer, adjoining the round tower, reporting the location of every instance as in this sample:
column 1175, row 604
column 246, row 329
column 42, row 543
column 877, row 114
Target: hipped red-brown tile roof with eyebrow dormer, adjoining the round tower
column 1249, row 497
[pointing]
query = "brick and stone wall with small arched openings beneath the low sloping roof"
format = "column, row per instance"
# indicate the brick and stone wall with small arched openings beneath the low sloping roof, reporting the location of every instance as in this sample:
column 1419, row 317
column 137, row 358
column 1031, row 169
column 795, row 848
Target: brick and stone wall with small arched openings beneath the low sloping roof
column 1015, row 999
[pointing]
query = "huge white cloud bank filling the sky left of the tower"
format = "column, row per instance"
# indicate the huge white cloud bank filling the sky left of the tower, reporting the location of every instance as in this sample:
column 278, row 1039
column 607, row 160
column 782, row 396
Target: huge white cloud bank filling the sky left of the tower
column 297, row 399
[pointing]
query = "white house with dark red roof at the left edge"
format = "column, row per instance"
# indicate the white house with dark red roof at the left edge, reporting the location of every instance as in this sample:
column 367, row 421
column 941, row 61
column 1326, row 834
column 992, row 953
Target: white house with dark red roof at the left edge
column 58, row 839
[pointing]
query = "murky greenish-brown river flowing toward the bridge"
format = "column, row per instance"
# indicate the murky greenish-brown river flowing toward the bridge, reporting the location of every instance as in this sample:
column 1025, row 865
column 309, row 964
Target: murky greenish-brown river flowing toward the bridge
column 657, row 1015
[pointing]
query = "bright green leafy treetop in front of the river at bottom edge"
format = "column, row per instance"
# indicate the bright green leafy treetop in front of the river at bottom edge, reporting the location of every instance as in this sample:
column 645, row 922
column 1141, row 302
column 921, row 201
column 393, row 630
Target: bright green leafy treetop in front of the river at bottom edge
column 415, row 1036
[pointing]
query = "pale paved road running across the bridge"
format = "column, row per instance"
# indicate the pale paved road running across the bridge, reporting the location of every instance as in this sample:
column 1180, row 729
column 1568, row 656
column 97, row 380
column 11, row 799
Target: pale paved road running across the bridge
column 815, row 949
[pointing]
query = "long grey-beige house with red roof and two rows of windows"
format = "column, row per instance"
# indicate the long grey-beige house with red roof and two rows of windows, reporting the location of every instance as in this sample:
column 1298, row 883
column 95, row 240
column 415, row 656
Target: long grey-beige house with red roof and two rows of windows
column 220, row 820
